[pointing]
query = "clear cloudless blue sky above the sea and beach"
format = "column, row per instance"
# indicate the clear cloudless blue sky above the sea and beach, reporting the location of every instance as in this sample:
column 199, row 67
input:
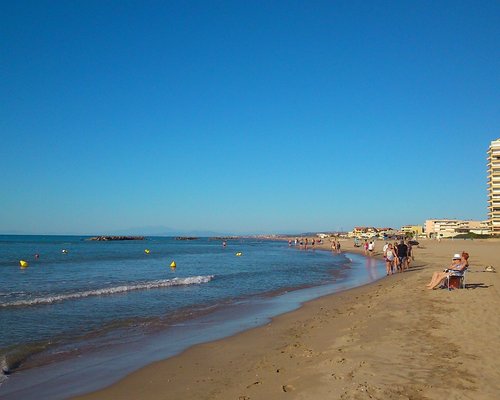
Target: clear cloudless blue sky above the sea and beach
column 244, row 116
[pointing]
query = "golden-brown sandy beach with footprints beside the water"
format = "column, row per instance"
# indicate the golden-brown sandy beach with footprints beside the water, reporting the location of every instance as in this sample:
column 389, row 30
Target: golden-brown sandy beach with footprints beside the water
column 392, row 339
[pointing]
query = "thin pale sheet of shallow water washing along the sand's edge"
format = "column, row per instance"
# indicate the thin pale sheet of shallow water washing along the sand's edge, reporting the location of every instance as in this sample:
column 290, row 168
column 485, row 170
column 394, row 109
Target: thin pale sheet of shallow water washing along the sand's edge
column 99, row 368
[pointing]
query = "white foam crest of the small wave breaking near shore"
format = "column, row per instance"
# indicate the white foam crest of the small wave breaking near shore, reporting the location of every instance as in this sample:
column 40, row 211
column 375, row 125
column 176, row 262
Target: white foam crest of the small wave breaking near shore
column 156, row 284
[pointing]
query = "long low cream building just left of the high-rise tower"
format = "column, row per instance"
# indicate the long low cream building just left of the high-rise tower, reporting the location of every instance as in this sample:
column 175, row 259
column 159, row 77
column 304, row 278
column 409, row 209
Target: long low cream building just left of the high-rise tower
column 446, row 228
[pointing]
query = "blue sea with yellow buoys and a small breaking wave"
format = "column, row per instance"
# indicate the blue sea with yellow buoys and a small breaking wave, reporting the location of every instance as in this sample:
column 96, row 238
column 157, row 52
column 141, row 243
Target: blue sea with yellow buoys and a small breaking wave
column 83, row 314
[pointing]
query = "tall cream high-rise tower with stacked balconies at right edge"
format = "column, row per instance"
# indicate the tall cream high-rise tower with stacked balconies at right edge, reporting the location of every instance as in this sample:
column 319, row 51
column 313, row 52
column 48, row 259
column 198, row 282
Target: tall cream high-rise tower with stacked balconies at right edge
column 494, row 187
